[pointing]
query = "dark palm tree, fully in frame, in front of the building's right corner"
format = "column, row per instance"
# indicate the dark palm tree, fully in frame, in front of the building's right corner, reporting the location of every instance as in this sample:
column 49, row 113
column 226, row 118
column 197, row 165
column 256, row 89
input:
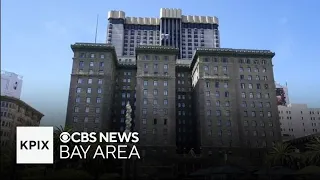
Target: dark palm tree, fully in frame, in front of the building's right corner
column 282, row 154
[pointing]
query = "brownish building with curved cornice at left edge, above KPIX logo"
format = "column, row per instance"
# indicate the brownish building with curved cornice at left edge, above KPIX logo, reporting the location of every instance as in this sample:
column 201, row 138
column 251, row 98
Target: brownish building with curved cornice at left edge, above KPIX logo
column 15, row 112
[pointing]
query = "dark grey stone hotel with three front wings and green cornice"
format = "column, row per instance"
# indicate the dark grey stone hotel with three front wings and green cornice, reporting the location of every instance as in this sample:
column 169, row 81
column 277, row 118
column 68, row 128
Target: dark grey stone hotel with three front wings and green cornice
column 222, row 98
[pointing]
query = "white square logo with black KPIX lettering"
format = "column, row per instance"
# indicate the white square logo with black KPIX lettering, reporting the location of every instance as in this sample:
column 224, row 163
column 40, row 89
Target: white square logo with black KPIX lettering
column 34, row 145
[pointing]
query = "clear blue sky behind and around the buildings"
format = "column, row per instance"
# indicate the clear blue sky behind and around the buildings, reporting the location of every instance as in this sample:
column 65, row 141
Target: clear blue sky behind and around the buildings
column 36, row 36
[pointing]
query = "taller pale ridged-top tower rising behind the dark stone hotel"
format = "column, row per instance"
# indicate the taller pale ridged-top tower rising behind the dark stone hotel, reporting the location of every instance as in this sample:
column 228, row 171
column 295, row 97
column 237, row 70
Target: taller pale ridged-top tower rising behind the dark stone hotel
column 171, row 29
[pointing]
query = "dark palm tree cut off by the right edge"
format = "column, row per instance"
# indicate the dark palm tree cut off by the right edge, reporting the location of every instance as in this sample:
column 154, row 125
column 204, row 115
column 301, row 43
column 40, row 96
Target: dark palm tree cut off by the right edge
column 313, row 151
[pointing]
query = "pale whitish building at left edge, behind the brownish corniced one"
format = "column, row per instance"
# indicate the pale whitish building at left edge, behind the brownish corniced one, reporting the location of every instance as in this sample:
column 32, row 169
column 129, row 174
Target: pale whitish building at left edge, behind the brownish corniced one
column 11, row 84
